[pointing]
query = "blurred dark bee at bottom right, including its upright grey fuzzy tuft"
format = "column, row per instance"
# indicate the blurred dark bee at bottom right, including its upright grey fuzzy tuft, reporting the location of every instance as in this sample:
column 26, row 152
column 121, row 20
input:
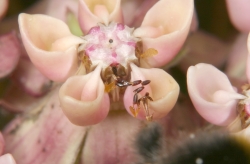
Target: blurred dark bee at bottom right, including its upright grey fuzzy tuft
column 204, row 148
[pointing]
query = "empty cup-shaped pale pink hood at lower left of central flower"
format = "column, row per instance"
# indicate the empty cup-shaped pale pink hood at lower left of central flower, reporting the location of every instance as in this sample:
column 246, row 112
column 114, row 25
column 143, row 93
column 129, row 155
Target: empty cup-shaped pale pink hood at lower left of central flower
column 83, row 99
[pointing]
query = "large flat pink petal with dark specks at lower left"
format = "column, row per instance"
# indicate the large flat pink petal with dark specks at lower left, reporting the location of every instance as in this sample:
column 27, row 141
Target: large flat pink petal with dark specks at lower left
column 43, row 135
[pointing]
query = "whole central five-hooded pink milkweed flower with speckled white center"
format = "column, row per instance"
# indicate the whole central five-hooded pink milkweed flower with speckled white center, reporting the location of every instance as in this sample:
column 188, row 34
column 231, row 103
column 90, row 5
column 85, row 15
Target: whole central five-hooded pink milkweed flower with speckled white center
column 109, row 57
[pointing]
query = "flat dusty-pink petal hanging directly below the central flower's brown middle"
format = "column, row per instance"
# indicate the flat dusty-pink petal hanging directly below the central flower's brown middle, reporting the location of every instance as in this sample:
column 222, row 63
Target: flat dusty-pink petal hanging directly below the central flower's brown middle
column 110, row 141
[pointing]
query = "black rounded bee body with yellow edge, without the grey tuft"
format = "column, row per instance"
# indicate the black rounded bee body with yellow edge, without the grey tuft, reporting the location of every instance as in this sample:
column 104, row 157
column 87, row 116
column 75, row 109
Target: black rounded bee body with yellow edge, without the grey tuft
column 212, row 148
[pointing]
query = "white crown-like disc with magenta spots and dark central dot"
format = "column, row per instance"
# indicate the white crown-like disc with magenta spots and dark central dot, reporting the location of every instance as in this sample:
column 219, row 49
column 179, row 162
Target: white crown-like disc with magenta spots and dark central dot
column 112, row 44
